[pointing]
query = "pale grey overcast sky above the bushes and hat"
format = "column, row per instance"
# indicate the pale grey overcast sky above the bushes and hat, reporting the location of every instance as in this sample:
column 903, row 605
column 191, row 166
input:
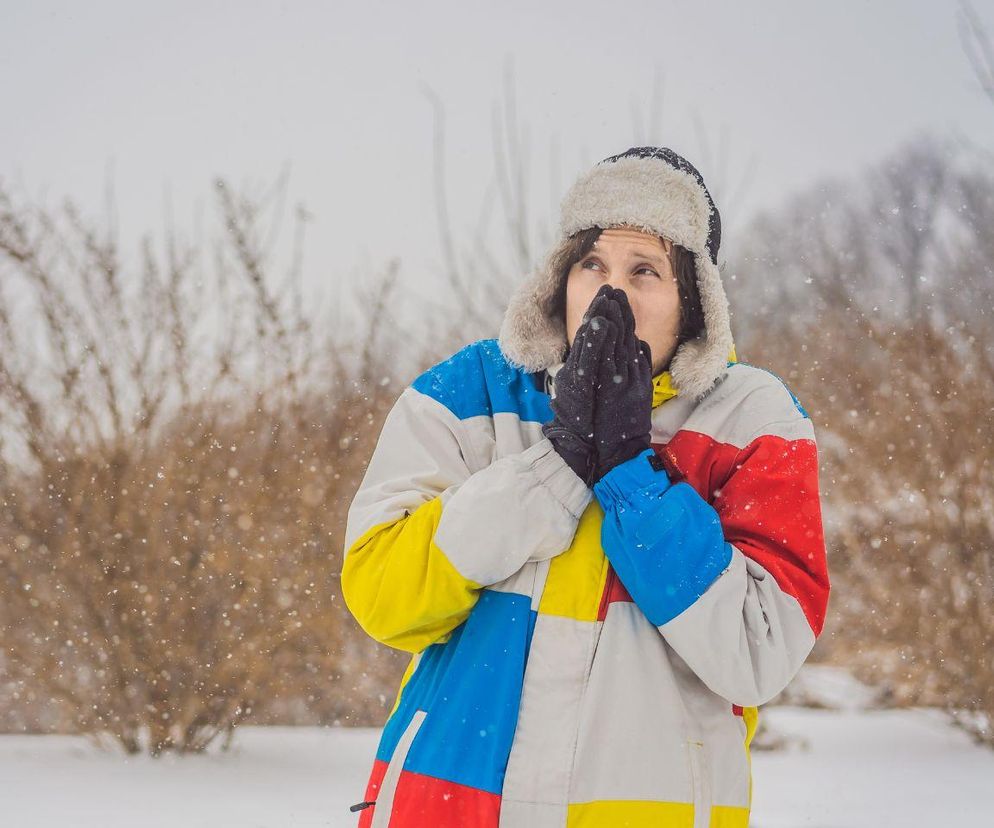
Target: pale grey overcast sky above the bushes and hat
column 764, row 97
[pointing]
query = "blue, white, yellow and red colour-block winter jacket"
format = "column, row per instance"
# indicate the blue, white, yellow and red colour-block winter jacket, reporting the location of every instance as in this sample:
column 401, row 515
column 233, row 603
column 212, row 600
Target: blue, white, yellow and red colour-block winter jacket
column 582, row 658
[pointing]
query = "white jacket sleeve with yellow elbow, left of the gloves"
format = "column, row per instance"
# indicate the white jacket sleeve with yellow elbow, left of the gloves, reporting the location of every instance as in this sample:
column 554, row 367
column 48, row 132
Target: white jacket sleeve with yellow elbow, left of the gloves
column 426, row 530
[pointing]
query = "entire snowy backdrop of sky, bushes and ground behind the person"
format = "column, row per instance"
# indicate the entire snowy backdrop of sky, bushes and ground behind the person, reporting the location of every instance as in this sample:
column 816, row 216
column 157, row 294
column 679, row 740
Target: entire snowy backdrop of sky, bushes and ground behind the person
column 230, row 236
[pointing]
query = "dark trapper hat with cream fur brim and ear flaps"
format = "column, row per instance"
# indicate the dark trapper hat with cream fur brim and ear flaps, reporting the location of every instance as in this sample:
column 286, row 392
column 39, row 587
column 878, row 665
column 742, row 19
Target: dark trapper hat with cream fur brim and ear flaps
column 658, row 191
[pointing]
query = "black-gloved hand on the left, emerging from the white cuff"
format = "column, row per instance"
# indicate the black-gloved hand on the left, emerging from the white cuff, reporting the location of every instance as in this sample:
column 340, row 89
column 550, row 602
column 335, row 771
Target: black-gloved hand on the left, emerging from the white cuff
column 571, row 431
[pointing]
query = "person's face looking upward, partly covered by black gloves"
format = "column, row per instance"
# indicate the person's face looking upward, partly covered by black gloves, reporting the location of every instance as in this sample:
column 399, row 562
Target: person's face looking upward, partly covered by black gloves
column 637, row 263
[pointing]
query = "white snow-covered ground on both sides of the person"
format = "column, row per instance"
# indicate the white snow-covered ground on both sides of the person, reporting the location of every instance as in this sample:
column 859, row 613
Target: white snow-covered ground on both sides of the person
column 842, row 769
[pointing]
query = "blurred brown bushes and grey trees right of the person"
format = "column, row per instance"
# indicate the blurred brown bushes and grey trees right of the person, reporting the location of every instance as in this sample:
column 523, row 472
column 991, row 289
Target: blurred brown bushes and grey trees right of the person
column 873, row 299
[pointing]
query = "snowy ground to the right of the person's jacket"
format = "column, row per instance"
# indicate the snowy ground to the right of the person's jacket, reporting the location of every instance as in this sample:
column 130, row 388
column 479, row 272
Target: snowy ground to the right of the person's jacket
column 866, row 768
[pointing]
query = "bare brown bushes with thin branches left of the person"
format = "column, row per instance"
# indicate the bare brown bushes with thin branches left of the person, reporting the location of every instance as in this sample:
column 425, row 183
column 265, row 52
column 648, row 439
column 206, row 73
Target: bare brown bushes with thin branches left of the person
column 179, row 445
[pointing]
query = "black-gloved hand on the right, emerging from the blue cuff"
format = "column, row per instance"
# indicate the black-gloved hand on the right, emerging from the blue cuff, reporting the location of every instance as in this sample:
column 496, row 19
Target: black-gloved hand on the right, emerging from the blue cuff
column 623, row 392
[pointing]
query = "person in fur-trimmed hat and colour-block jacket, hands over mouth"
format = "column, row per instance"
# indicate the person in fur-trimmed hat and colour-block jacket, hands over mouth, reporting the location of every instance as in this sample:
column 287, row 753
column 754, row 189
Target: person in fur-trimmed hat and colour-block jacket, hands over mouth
column 599, row 535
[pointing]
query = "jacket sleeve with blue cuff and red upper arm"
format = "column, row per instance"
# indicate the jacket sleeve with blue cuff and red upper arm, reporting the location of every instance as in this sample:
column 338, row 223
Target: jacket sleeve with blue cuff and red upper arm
column 739, row 589
